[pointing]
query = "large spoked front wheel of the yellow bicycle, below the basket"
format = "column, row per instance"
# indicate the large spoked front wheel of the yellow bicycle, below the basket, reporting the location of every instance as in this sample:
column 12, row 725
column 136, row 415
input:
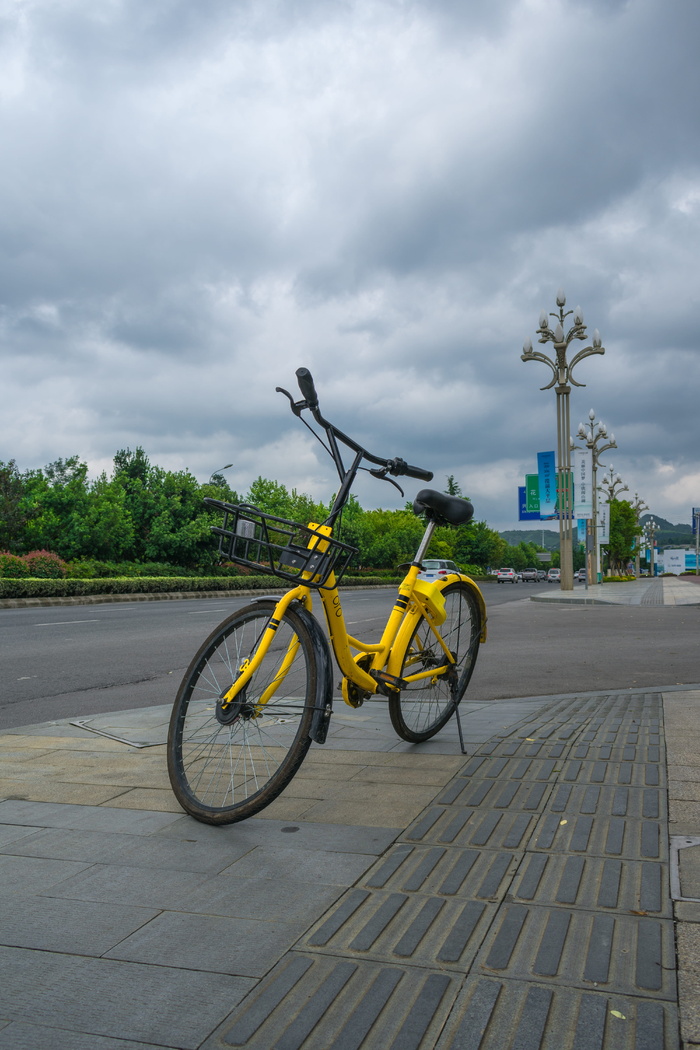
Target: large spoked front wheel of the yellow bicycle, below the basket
column 228, row 764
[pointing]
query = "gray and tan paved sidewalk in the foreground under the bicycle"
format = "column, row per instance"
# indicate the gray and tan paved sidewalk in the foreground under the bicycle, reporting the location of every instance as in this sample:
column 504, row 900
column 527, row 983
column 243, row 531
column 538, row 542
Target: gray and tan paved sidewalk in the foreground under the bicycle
column 543, row 892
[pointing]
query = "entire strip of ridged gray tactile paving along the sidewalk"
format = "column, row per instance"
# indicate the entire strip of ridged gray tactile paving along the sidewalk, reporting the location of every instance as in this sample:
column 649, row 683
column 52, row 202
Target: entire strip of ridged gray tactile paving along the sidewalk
column 527, row 909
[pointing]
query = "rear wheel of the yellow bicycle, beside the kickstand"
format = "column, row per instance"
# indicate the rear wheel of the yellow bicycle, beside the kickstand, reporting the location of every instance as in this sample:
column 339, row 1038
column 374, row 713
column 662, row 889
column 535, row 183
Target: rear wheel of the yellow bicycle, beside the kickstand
column 420, row 710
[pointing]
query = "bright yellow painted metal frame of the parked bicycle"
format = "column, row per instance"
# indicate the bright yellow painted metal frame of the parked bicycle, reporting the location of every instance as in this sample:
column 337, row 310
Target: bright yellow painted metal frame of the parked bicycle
column 416, row 600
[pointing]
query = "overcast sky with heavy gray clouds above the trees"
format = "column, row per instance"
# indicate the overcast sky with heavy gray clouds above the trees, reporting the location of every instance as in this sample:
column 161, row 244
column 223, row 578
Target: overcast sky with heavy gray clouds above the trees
column 197, row 199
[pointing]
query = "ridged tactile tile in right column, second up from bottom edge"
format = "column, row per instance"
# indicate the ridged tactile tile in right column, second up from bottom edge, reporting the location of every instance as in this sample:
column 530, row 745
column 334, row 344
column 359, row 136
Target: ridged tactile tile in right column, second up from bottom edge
column 616, row 953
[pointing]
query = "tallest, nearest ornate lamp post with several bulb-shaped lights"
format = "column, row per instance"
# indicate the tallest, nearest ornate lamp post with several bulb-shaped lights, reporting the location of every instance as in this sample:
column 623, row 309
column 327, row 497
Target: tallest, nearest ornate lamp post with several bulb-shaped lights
column 562, row 376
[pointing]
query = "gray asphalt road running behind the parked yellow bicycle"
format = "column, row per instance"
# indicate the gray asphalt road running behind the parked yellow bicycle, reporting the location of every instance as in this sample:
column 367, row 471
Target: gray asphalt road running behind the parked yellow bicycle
column 84, row 660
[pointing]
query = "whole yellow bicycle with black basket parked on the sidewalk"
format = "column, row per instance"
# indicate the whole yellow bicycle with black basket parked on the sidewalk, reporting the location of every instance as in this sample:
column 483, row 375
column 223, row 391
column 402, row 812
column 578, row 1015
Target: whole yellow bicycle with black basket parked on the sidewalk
column 260, row 690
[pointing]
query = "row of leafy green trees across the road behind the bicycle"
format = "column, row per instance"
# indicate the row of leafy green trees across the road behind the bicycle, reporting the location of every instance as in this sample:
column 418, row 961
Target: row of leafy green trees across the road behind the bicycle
column 144, row 514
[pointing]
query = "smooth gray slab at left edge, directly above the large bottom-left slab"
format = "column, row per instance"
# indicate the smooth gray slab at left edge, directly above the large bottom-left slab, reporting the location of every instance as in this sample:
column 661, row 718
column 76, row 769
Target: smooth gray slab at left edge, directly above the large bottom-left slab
column 76, row 928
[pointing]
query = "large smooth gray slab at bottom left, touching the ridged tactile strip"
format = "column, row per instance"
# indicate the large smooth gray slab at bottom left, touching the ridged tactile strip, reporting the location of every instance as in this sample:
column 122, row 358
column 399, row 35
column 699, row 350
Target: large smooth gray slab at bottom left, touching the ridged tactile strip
column 128, row 1001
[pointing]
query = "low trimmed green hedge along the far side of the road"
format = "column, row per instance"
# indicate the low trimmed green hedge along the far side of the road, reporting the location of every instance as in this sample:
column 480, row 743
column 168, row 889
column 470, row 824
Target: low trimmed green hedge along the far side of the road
column 154, row 585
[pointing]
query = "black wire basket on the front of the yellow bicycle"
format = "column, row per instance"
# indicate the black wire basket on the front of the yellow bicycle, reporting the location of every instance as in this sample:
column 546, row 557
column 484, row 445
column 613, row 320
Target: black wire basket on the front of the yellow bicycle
column 280, row 548
